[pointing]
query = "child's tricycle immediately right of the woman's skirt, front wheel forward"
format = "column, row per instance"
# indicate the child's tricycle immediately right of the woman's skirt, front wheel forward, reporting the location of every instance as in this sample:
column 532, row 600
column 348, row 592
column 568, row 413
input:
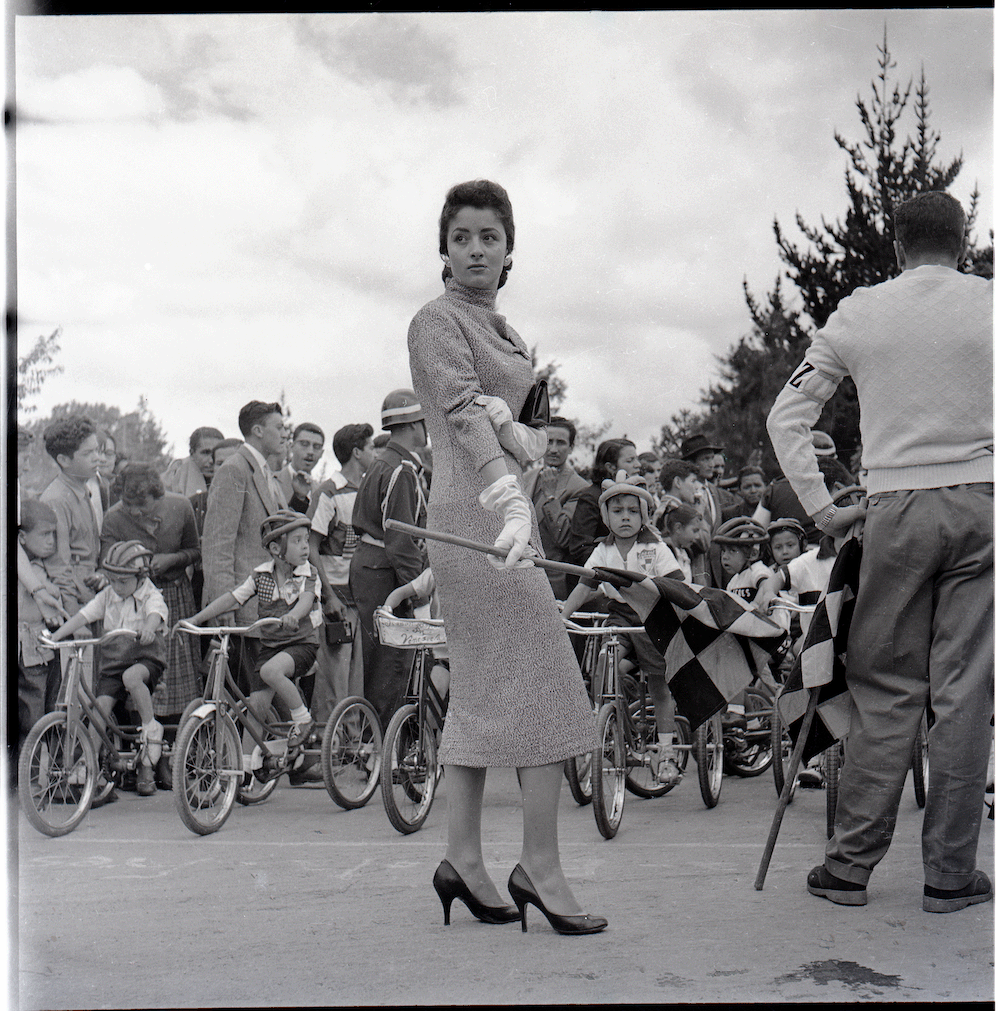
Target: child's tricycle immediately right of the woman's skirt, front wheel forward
column 626, row 732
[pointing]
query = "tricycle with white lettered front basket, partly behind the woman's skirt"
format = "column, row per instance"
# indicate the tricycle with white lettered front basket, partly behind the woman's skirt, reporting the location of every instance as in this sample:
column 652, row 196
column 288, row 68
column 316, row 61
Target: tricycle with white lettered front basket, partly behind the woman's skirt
column 410, row 764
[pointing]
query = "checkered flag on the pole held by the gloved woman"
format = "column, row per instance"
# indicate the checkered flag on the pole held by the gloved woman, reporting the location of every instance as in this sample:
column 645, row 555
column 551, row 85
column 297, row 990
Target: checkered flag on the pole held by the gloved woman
column 714, row 641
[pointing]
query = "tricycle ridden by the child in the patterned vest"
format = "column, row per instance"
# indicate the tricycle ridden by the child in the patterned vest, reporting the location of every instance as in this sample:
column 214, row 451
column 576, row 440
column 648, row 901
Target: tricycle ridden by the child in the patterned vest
column 209, row 773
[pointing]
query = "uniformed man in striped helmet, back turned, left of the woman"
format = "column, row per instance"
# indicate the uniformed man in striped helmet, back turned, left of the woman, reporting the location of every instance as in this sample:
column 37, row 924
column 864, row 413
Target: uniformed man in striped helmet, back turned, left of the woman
column 393, row 488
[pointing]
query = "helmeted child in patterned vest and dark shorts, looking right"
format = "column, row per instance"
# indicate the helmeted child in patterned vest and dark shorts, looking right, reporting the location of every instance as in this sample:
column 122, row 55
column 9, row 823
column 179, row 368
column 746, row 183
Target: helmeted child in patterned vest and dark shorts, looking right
column 288, row 589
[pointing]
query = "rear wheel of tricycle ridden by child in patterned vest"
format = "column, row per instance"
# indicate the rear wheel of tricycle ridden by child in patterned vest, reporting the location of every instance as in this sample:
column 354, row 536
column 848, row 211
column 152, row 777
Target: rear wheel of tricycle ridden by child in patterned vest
column 352, row 753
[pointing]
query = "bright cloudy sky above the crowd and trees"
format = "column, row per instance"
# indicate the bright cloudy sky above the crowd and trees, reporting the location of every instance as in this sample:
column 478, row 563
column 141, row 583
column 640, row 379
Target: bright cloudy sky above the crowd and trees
column 217, row 209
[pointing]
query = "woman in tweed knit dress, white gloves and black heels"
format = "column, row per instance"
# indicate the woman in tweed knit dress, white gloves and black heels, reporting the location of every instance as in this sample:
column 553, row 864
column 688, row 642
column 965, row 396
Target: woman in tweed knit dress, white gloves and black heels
column 517, row 696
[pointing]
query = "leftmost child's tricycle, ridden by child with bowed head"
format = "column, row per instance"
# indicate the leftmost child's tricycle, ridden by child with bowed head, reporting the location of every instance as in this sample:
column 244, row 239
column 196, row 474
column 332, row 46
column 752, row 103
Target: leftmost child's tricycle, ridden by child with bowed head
column 59, row 773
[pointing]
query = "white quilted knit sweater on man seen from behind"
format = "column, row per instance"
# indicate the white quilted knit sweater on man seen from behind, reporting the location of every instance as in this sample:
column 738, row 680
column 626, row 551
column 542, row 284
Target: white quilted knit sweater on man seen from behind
column 920, row 350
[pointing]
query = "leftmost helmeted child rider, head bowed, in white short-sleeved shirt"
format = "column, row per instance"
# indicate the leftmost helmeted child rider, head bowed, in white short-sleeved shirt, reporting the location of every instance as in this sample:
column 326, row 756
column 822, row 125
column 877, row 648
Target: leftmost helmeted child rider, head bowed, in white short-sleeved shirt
column 130, row 601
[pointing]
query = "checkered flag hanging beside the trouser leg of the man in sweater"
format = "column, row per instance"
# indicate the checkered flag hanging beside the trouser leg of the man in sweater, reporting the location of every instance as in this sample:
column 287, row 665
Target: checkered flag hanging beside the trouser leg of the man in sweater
column 822, row 663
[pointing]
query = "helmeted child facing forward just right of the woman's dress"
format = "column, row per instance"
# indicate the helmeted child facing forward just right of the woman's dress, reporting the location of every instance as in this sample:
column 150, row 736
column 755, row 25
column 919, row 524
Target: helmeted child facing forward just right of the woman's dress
column 632, row 544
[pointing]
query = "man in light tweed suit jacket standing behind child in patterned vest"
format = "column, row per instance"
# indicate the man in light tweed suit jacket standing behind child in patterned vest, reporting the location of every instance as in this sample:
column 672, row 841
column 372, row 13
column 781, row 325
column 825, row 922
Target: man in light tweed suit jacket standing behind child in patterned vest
column 243, row 492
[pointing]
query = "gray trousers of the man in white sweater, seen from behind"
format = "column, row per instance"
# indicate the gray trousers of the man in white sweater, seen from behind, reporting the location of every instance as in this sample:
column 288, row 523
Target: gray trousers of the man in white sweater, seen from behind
column 923, row 631
